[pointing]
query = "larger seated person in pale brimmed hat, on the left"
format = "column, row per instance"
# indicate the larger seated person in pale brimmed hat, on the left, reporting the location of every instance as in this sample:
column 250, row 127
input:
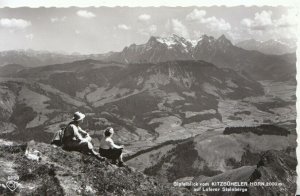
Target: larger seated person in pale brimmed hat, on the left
column 76, row 139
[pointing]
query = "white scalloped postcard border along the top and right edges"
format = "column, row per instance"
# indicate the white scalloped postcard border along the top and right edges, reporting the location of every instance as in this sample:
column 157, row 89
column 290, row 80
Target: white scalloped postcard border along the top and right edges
column 174, row 3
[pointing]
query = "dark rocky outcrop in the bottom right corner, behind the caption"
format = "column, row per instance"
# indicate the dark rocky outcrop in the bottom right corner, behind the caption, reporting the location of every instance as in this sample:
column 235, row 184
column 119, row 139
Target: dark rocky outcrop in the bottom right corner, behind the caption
column 274, row 174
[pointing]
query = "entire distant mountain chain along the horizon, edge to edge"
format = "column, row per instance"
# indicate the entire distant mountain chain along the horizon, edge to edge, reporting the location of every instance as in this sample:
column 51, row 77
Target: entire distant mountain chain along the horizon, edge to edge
column 156, row 49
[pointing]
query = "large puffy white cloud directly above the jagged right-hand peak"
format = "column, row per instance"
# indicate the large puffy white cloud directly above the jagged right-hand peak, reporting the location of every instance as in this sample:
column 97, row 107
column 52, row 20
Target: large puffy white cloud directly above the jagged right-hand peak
column 213, row 23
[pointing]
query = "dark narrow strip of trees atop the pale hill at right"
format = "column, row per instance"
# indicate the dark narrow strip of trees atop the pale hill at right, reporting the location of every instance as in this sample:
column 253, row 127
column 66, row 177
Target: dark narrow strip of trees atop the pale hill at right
column 259, row 130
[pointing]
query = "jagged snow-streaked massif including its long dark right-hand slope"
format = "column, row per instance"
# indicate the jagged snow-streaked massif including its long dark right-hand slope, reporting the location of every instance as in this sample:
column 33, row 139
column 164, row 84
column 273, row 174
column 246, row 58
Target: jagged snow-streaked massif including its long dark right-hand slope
column 220, row 52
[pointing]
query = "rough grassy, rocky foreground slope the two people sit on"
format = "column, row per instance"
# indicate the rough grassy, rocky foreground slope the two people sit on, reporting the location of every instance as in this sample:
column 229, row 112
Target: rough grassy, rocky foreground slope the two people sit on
column 71, row 173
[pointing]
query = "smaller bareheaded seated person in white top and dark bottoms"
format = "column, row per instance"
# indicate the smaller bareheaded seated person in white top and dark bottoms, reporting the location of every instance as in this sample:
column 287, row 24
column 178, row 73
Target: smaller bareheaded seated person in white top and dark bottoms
column 109, row 149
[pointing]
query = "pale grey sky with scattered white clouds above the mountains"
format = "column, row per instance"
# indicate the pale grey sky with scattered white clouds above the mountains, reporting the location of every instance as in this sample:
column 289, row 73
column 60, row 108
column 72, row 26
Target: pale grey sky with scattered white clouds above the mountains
column 89, row 30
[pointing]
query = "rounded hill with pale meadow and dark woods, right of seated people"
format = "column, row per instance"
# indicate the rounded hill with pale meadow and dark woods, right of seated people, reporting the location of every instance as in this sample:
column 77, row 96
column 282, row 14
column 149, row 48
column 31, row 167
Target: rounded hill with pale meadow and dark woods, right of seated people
column 210, row 154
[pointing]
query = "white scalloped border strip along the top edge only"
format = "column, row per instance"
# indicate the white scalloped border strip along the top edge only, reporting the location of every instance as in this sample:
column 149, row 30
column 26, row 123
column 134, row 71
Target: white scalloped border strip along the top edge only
column 143, row 3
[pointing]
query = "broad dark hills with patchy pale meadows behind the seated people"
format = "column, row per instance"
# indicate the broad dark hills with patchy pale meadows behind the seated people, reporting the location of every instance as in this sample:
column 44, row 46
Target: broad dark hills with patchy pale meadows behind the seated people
column 176, row 91
